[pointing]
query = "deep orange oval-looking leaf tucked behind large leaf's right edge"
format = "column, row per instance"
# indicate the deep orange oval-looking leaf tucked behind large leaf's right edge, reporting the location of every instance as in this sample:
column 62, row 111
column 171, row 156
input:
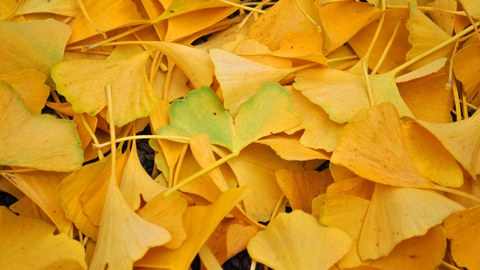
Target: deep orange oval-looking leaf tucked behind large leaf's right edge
column 426, row 152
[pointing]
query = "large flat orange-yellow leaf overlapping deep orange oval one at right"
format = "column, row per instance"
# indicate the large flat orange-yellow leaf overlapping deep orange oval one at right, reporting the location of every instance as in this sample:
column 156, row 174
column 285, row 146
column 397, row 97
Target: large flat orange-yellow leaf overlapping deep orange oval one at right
column 388, row 162
